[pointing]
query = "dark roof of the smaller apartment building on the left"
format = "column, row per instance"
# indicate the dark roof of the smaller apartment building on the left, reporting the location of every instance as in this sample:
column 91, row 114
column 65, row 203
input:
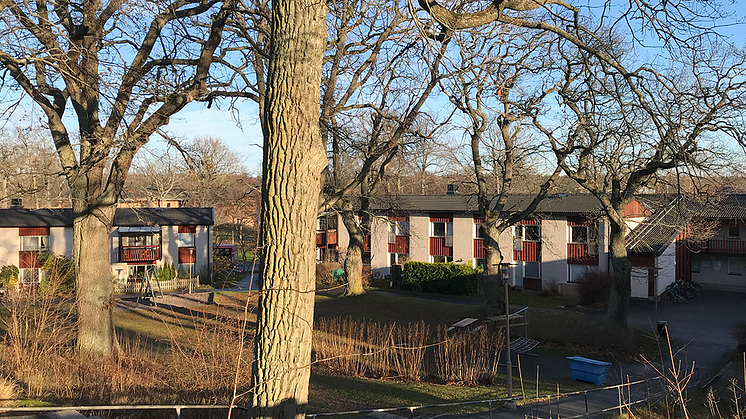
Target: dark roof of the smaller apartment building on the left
column 23, row 217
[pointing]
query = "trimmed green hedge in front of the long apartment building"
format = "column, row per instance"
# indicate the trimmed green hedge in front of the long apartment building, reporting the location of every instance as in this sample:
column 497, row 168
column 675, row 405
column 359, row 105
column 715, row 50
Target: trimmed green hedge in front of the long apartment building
column 443, row 278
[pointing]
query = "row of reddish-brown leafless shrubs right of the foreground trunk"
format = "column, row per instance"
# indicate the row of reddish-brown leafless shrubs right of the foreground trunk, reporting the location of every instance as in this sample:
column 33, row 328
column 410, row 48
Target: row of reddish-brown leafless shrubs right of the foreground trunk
column 361, row 348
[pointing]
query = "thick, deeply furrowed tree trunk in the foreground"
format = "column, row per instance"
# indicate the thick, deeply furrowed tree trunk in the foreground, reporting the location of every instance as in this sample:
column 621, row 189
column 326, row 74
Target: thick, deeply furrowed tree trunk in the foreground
column 294, row 158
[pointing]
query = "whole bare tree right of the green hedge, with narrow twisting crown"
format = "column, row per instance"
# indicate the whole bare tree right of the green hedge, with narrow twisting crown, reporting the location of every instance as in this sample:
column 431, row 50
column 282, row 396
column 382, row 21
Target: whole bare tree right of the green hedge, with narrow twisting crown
column 489, row 94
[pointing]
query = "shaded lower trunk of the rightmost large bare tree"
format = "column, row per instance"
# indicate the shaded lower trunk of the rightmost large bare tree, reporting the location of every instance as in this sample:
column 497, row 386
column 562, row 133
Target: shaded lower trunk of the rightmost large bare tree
column 621, row 275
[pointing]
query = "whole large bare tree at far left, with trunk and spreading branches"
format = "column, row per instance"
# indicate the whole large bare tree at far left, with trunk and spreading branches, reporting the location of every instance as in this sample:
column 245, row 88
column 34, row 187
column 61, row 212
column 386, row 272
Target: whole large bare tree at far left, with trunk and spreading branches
column 123, row 69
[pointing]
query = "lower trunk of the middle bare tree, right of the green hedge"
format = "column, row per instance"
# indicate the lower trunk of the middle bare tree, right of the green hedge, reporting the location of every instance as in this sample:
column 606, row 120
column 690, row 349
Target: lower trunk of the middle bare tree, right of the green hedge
column 493, row 285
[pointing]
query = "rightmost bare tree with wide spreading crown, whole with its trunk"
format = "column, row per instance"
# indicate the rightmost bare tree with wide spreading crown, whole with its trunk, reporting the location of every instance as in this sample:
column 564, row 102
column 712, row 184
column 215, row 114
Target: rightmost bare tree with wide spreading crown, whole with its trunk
column 621, row 132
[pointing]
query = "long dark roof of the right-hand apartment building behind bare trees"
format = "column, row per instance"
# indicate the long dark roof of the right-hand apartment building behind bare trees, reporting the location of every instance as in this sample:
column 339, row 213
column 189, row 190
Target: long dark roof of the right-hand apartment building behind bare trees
column 556, row 203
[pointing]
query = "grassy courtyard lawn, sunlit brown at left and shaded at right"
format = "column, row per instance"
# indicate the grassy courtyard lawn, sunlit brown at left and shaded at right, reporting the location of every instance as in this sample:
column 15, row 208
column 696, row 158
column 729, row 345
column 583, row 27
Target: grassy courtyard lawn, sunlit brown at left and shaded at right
column 188, row 355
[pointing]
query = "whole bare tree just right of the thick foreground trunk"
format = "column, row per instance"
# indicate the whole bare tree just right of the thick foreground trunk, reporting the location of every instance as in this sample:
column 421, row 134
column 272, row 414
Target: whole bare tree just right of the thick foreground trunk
column 391, row 77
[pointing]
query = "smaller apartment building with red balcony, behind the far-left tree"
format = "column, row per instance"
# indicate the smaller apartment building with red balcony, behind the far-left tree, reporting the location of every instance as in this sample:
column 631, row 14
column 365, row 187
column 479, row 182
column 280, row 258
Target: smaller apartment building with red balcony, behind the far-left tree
column 141, row 239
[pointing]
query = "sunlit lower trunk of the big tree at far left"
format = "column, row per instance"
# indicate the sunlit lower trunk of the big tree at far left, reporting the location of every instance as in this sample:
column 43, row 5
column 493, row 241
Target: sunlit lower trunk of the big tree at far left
column 91, row 229
